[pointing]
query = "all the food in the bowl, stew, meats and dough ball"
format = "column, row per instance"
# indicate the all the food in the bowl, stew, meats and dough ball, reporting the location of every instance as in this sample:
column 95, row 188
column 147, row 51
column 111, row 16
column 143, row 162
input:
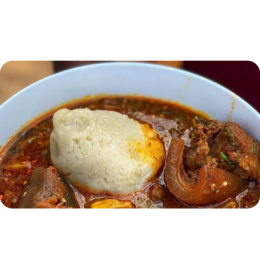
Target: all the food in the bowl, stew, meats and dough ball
column 130, row 153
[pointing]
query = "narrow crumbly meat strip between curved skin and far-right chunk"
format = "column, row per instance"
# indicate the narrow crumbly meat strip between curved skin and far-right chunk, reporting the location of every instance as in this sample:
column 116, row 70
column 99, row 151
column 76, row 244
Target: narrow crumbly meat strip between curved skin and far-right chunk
column 200, row 146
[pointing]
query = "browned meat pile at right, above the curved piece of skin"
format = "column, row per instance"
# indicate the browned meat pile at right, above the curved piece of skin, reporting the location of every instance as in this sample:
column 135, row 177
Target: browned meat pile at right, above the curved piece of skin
column 224, row 146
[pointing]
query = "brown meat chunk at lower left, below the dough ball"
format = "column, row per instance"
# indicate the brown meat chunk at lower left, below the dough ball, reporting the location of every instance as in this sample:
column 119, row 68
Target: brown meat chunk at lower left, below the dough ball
column 44, row 191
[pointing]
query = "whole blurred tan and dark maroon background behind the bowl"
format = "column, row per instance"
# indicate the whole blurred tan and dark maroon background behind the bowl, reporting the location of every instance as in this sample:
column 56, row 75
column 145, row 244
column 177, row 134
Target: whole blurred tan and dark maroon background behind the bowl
column 240, row 76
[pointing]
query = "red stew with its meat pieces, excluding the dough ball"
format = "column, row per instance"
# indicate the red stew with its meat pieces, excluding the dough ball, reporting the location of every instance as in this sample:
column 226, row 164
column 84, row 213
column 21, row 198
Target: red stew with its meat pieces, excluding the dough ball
column 208, row 164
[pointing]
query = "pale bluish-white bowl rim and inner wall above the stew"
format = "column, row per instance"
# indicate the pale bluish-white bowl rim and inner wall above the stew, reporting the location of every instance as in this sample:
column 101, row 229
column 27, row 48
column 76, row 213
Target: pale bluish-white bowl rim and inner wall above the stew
column 126, row 78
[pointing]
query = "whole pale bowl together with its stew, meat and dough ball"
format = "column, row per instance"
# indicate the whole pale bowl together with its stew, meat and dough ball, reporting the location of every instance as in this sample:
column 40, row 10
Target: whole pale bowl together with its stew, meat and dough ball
column 128, row 136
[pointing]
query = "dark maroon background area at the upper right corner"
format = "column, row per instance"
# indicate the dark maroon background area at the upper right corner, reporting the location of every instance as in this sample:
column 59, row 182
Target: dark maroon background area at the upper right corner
column 240, row 76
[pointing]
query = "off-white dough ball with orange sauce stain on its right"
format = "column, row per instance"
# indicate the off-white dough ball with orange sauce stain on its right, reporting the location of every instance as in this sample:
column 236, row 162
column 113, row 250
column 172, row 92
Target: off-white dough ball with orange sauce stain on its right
column 105, row 151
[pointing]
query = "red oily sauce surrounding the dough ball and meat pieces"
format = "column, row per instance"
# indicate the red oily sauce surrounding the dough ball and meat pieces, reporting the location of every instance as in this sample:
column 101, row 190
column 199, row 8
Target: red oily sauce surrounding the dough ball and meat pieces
column 30, row 150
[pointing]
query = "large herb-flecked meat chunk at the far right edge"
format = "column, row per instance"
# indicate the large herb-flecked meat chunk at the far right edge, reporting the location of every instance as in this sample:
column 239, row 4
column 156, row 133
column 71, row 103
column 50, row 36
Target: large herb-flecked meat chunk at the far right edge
column 236, row 151
